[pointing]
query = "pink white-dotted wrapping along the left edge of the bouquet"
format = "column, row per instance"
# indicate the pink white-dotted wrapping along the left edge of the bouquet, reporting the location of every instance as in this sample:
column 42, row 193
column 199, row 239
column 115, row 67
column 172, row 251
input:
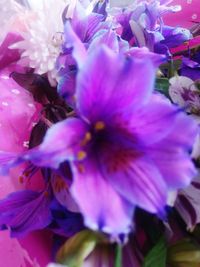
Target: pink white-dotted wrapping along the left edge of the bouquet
column 18, row 112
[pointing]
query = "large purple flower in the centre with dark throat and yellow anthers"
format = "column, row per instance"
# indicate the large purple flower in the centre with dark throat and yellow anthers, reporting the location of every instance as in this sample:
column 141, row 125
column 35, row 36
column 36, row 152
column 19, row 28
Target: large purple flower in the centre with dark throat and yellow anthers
column 125, row 147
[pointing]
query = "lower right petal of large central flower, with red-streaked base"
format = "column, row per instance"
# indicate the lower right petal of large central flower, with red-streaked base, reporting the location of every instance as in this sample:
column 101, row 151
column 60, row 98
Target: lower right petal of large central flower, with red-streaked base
column 135, row 178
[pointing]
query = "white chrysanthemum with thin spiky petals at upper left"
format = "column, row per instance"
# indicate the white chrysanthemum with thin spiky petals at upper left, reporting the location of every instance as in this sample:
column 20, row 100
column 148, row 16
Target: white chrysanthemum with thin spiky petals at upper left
column 43, row 35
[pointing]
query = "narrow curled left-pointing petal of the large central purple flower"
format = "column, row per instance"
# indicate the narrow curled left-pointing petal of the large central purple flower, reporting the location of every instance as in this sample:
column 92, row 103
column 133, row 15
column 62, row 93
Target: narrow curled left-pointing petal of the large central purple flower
column 61, row 143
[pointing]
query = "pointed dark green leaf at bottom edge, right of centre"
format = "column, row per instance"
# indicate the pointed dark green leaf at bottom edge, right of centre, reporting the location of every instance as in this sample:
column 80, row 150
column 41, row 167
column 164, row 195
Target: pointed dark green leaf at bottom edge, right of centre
column 157, row 255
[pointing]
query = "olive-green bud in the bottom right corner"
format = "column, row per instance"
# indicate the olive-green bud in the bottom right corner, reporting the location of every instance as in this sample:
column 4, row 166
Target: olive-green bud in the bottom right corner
column 184, row 253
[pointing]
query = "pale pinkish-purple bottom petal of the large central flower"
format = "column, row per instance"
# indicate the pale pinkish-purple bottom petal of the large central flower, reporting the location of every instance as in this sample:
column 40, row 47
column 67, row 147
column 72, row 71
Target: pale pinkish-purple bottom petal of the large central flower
column 101, row 205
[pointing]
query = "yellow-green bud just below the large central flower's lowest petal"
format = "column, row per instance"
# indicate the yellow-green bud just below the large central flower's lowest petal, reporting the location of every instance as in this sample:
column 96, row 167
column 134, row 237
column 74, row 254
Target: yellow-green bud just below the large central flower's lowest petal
column 77, row 248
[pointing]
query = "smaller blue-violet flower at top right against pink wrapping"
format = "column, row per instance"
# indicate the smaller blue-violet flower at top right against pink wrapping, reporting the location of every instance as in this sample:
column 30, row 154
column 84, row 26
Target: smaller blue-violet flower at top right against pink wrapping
column 145, row 25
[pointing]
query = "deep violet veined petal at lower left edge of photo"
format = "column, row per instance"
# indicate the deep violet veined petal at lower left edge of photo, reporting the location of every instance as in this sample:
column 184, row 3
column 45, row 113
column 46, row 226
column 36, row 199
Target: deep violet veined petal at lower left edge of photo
column 25, row 211
